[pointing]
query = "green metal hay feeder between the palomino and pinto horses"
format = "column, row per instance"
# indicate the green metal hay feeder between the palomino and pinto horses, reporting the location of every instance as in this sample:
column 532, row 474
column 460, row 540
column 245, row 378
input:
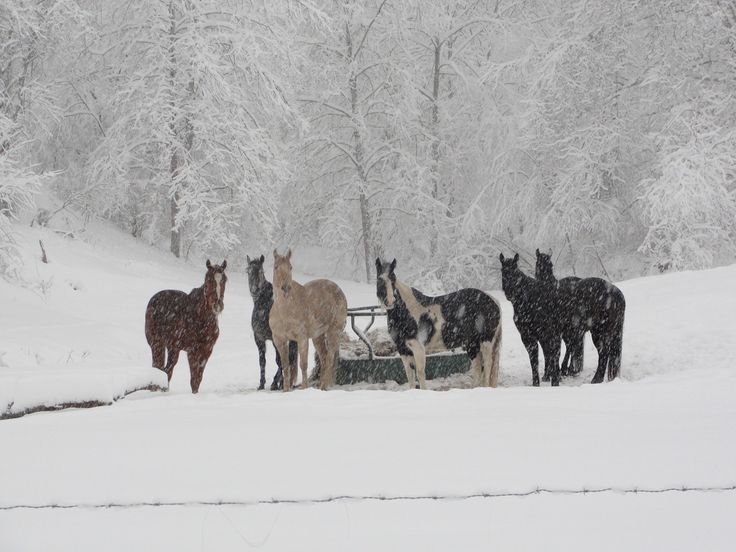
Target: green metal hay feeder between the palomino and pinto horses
column 378, row 369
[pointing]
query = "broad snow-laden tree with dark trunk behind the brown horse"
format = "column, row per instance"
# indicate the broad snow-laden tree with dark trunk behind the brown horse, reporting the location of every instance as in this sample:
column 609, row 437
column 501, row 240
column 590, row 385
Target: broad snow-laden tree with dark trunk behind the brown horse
column 197, row 113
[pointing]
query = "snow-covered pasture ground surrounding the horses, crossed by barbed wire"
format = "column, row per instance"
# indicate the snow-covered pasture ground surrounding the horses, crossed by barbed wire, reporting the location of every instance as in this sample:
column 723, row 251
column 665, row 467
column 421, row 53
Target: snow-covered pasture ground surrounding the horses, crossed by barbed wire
column 352, row 468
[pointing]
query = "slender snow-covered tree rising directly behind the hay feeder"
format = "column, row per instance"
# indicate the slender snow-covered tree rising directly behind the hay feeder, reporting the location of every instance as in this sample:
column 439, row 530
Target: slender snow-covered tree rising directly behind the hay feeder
column 358, row 173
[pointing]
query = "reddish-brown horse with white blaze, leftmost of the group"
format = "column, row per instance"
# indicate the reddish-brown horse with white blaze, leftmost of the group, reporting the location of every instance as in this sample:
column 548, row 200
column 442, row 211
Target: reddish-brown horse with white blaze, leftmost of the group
column 177, row 321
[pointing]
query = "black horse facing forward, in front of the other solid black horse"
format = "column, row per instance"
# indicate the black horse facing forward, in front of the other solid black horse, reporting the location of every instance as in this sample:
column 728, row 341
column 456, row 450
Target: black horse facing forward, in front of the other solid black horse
column 535, row 316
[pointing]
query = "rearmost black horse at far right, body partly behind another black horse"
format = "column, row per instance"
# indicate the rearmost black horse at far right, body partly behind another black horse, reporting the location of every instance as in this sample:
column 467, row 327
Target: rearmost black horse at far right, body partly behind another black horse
column 589, row 304
